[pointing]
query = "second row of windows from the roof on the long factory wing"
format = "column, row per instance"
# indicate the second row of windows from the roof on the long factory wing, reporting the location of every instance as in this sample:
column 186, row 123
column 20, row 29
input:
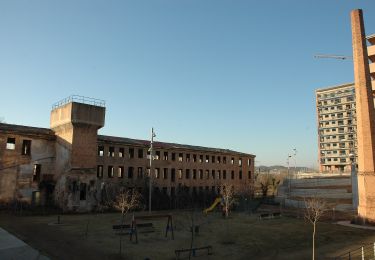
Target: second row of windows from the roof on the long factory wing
column 164, row 173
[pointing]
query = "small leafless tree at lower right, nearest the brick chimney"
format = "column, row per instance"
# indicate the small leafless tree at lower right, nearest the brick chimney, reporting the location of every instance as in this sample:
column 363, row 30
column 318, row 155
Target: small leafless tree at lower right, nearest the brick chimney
column 315, row 208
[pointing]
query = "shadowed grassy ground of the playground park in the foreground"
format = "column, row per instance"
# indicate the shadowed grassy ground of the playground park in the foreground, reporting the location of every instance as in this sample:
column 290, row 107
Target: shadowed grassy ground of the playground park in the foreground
column 241, row 236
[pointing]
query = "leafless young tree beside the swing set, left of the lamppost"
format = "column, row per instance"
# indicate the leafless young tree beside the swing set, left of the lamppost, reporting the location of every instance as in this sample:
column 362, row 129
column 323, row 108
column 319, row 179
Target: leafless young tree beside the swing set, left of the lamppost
column 126, row 201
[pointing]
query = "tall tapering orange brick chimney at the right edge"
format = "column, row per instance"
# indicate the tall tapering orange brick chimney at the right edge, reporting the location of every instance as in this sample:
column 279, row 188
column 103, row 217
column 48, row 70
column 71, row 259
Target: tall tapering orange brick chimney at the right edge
column 365, row 119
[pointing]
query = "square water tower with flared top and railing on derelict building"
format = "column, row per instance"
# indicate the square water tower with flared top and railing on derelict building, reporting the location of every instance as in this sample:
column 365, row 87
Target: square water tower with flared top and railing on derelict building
column 75, row 121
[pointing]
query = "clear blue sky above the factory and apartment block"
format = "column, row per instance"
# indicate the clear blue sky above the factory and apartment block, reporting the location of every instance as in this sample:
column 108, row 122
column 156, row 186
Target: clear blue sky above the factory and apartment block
column 238, row 75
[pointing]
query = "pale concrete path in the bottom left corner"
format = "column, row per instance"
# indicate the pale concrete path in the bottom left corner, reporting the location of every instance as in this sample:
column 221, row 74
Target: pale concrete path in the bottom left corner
column 13, row 248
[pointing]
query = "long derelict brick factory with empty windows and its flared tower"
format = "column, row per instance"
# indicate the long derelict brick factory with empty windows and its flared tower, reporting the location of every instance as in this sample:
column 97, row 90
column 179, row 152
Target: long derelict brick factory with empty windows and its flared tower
column 70, row 163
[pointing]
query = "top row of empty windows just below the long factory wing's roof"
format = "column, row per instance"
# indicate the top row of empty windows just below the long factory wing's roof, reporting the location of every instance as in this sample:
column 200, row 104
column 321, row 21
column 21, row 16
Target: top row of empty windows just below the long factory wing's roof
column 180, row 157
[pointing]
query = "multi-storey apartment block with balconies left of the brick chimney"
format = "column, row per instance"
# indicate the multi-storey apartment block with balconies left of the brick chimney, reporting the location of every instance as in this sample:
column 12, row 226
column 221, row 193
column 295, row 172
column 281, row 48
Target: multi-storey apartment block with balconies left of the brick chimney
column 337, row 130
